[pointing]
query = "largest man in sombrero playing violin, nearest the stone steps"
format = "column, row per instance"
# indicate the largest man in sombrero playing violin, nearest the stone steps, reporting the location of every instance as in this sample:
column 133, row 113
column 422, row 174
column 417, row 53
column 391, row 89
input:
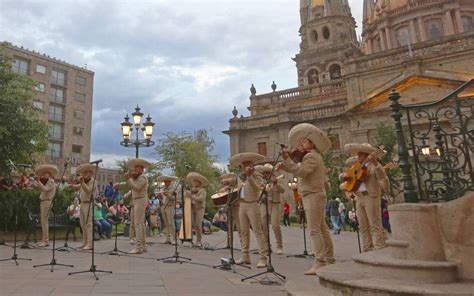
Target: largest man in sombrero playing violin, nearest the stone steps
column 311, row 184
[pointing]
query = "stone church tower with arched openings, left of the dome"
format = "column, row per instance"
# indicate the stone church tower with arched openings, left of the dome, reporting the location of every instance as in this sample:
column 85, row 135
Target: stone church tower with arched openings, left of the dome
column 328, row 39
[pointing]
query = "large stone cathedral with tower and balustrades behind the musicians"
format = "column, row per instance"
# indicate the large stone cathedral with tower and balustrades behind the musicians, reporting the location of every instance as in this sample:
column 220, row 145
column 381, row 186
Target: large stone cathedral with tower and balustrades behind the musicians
column 424, row 49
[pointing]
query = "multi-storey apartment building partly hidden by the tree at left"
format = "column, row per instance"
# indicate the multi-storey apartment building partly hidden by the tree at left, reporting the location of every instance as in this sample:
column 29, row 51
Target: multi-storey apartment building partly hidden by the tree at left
column 64, row 94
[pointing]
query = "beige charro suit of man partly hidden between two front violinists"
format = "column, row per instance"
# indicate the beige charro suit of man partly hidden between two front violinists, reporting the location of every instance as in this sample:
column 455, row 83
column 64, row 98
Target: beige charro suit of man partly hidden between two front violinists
column 274, row 212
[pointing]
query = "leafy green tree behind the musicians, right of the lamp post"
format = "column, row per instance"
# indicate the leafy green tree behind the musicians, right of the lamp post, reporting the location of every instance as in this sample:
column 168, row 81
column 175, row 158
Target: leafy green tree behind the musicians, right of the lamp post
column 176, row 151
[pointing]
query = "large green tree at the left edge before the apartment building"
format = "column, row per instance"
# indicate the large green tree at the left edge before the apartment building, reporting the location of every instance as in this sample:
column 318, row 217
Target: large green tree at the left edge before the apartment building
column 22, row 132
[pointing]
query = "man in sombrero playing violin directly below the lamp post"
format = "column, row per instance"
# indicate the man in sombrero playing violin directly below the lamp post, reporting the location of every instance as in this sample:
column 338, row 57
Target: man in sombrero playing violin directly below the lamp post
column 137, row 182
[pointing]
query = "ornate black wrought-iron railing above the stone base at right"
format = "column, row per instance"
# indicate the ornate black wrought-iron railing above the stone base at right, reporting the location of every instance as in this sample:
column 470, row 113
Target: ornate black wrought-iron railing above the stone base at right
column 441, row 143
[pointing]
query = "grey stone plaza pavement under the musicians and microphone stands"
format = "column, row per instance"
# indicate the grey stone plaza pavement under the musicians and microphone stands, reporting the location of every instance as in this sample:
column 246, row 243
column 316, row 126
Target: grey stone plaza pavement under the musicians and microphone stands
column 143, row 275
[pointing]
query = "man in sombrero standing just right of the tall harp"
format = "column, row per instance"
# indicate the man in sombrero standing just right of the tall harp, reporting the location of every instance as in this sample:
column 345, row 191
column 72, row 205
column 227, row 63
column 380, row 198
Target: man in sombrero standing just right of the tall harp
column 198, row 199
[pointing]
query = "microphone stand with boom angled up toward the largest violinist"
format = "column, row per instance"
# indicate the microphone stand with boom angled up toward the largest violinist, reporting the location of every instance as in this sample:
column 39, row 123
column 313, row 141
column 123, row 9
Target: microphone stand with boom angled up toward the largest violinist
column 270, row 269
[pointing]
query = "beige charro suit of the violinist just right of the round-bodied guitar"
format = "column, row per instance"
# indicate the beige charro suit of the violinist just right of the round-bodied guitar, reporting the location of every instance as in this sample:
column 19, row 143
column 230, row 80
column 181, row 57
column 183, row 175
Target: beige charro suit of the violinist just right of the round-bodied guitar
column 249, row 215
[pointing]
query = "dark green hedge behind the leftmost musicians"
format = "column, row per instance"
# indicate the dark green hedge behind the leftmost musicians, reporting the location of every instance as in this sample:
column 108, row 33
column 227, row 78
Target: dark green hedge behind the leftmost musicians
column 27, row 202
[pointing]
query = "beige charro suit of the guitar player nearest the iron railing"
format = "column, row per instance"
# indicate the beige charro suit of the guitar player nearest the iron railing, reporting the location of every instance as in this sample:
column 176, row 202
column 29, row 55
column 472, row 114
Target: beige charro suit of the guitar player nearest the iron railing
column 368, row 208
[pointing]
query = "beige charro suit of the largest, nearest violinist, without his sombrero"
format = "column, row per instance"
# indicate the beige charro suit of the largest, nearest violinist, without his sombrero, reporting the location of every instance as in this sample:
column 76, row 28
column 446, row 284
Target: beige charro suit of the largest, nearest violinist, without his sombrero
column 311, row 184
